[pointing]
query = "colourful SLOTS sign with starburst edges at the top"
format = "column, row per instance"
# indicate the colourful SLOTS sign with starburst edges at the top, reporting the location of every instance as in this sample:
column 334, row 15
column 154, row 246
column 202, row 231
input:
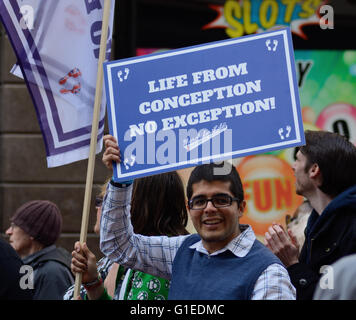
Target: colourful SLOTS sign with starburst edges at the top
column 241, row 17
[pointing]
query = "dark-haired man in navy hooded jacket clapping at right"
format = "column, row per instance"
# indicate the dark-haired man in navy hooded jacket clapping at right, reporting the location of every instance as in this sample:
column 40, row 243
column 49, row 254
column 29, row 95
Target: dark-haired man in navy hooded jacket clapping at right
column 325, row 171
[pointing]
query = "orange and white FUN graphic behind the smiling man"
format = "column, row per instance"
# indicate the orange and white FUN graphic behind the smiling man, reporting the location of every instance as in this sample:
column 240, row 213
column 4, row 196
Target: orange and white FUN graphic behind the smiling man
column 269, row 186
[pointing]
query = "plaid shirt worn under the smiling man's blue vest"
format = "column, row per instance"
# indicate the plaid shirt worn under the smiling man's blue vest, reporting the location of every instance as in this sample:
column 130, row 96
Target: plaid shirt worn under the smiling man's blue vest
column 155, row 254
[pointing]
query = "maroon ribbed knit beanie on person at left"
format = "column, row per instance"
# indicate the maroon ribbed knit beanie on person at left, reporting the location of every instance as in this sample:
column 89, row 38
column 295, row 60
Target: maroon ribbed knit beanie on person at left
column 41, row 219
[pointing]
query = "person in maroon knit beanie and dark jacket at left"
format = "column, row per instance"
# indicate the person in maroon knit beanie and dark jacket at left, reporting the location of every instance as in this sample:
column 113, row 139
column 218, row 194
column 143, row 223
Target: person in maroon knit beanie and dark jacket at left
column 34, row 229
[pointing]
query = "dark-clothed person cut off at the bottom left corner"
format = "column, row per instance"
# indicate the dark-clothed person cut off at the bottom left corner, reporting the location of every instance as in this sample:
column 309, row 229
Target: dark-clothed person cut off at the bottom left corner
column 16, row 281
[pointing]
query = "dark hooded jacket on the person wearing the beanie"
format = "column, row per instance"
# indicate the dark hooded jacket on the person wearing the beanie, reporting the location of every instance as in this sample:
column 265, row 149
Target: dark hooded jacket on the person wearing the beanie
column 52, row 274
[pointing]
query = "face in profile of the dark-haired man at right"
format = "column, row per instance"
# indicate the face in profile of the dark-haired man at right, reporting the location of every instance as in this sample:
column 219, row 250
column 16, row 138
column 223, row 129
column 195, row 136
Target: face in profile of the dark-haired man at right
column 303, row 183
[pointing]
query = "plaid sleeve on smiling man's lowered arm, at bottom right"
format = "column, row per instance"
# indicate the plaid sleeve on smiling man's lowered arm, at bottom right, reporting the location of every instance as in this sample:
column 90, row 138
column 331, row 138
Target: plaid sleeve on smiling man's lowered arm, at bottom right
column 274, row 284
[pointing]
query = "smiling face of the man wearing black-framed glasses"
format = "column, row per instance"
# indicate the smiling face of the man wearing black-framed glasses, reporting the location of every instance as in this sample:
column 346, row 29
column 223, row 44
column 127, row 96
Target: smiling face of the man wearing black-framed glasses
column 216, row 226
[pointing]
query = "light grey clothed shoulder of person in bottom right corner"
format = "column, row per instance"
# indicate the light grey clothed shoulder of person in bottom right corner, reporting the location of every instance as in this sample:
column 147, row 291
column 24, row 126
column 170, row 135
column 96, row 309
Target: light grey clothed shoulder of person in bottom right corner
column 338, row 281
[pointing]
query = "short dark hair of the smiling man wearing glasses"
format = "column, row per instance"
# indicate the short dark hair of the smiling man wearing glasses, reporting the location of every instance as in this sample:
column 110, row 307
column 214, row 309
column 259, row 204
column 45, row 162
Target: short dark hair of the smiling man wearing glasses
column 217, row 172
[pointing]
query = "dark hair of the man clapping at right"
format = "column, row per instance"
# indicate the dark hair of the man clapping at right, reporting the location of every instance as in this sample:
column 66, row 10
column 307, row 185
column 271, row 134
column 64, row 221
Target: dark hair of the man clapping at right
column 336, row 158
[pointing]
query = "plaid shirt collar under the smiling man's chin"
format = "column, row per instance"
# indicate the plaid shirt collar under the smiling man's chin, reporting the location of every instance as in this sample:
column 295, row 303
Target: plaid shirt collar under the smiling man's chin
column 239, row 246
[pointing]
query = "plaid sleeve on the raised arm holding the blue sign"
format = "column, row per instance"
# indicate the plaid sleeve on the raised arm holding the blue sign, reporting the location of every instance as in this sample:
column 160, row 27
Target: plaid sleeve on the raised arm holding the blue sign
column 153, row 255
